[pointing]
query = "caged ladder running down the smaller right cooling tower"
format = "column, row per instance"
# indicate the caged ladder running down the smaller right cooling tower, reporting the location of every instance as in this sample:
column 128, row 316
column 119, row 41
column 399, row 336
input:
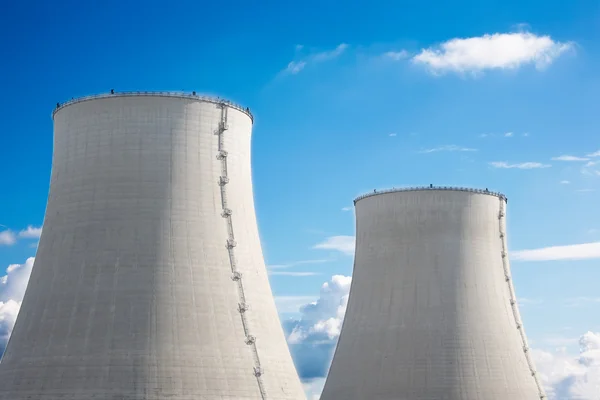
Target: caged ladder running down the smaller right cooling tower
column 513, row 300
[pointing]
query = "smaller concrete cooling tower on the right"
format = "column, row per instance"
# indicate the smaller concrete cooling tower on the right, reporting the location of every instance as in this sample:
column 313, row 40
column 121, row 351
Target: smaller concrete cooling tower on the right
column 432, row 313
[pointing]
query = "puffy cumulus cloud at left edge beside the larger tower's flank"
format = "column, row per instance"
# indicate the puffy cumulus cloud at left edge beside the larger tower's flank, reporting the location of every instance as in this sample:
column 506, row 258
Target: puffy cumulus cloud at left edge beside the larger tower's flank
column 12, row 289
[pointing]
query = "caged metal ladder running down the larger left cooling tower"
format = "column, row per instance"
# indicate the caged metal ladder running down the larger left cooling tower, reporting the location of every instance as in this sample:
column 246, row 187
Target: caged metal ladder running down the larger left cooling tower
column 230, row 244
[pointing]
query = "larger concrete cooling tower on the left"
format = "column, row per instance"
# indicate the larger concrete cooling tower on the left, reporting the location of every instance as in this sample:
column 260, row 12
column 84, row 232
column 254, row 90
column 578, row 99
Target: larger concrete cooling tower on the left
column 149, row 281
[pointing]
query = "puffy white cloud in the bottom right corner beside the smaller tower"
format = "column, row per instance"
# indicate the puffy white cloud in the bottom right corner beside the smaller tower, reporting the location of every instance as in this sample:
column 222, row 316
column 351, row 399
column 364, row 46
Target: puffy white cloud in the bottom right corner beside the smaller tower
column 571, row 377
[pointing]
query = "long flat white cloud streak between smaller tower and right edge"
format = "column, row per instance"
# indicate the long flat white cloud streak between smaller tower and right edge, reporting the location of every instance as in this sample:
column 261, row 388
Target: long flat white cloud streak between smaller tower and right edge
column 584, row 251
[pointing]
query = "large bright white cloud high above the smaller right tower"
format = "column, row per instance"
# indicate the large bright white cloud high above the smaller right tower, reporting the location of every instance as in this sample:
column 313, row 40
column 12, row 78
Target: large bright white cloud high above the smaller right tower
column 496, row 51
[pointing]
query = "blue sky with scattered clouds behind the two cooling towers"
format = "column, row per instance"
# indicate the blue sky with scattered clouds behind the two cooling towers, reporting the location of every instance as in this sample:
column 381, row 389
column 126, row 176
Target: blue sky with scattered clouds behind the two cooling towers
column 347, row 98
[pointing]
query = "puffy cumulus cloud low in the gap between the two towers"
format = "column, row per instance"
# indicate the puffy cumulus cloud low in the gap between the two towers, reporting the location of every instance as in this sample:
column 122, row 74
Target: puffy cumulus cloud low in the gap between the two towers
column 313, row 336
